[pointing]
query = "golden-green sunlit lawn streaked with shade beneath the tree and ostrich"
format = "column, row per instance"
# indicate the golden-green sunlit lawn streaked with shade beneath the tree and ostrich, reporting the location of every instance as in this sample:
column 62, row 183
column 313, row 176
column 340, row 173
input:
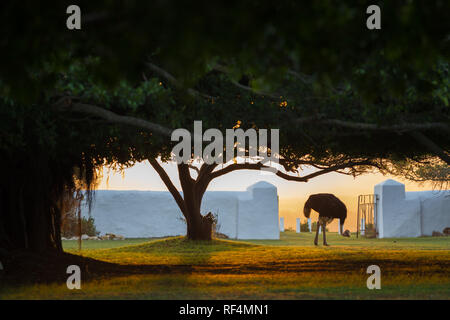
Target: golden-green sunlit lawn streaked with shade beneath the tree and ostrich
column 290, row 268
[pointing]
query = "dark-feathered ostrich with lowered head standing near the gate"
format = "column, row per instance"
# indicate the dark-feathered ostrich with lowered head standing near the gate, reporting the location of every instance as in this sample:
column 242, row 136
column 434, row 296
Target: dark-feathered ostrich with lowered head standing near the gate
column 329, row 207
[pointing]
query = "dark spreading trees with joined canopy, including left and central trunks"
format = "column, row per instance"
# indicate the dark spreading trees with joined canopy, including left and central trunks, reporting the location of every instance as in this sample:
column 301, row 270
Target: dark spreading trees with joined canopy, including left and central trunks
column 345, row 99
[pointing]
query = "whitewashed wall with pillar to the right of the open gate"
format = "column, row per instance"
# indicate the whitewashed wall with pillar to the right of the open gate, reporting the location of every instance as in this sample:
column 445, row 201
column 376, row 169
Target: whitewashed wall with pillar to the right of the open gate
column 410, row 214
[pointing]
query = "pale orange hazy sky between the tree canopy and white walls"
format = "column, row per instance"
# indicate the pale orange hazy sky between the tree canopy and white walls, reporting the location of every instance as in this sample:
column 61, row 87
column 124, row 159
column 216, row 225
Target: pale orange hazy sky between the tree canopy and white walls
column 292, row 194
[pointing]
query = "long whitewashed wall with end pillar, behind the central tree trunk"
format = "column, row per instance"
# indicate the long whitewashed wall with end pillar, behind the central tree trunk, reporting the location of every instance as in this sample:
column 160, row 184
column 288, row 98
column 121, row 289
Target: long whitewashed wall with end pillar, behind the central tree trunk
column 250, row 214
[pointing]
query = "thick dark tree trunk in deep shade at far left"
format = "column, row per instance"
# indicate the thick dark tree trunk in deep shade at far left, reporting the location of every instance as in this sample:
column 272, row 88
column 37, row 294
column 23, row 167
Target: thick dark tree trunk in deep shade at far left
column 29, row 209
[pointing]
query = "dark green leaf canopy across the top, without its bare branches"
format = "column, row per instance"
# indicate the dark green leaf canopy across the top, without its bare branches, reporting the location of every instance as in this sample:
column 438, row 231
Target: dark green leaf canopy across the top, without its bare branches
column 356, row 75
